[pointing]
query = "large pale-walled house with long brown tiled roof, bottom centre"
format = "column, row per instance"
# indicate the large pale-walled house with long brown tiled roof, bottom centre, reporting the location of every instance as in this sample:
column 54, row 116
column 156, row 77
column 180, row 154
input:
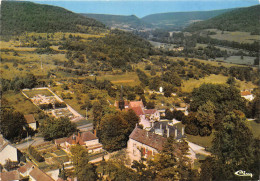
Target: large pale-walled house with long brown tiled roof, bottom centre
column 144, row 143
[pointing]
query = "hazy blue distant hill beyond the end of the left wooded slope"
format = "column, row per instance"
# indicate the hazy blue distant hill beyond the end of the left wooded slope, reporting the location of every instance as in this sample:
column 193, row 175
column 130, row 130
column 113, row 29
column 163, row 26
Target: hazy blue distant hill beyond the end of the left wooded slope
column 113, row 20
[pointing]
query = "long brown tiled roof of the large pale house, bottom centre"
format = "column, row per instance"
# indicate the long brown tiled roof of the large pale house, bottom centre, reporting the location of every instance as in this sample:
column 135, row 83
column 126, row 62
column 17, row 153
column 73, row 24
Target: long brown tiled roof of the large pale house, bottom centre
column 150, row 139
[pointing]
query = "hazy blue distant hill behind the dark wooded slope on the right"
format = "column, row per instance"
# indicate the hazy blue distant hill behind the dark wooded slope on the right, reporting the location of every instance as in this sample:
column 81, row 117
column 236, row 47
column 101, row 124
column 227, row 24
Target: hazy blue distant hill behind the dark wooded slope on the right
column 180, row 19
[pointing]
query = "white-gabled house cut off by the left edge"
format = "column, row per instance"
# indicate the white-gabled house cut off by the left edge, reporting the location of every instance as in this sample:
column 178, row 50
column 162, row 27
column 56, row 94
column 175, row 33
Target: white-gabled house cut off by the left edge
column 8, row 152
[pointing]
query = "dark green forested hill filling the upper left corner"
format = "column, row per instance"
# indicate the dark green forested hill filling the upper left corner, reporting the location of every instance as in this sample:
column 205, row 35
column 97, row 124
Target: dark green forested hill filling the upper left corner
column 19, row 17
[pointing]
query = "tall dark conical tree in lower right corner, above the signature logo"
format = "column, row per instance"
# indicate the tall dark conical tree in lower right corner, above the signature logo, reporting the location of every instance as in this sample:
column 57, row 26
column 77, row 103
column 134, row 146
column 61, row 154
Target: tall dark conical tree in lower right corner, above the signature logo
column 233, row 149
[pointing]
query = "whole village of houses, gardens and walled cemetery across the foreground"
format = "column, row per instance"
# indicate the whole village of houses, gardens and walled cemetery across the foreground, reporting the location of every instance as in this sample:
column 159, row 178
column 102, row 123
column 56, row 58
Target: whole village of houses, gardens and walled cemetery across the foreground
column 145, row 141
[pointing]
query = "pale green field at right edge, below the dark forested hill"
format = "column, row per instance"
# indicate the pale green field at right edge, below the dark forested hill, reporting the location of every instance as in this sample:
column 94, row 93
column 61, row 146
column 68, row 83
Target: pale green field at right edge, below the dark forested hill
column 237, row 36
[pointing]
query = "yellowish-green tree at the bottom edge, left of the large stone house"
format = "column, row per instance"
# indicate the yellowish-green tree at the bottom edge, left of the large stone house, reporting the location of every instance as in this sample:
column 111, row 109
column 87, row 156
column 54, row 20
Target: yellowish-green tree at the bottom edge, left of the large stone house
column 84, row 171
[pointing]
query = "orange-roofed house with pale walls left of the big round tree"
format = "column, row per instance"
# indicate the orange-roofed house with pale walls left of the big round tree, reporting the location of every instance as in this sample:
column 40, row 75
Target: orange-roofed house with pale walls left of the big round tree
column 87, row 139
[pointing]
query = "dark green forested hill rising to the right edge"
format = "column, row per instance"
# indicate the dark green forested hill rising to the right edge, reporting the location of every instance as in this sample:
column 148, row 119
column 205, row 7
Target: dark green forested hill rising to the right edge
column 242, row 19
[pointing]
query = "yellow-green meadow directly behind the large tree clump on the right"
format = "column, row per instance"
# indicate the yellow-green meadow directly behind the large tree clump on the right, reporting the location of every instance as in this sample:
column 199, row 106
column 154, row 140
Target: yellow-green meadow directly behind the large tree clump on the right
column 190, row 84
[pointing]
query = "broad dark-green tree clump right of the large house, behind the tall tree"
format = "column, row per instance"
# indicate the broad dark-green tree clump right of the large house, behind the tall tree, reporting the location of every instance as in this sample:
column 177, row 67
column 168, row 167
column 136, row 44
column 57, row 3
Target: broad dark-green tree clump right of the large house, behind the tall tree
column 210, row 103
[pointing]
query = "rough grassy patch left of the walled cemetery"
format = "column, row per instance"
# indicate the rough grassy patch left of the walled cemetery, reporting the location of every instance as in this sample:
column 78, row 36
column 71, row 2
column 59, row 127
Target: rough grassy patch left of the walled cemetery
column 20, row 103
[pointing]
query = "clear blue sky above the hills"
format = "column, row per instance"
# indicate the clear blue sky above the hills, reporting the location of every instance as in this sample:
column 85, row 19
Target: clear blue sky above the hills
column 143, row 8
